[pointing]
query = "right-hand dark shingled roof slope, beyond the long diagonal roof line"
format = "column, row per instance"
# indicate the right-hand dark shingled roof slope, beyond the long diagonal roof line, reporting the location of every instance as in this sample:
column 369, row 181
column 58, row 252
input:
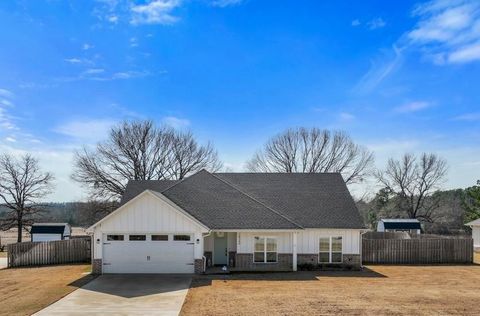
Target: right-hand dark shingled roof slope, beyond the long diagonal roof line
column 313, row 200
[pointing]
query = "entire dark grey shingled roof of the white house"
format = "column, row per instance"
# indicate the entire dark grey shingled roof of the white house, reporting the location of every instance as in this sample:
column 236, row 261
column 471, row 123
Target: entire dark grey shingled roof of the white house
column 260, row 200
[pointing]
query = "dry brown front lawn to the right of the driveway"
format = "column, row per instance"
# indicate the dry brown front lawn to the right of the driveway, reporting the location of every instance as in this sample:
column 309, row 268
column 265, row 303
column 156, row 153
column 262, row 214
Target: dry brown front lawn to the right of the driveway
column 392, row 290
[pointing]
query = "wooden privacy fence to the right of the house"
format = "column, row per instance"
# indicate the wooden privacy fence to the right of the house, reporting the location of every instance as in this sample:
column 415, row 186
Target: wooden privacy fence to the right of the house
column 417, row 251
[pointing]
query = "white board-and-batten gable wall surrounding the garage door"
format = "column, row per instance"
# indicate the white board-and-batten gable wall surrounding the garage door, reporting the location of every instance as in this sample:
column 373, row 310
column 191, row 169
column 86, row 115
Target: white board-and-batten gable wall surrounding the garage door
column 148, row 214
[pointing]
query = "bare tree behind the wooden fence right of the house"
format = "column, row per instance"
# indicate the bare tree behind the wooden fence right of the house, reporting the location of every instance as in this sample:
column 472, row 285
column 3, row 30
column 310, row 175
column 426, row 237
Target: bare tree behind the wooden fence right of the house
column 412, row 181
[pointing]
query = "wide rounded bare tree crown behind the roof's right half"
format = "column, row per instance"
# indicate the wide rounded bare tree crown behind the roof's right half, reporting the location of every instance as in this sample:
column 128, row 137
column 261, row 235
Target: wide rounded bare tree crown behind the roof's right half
column 311, row 151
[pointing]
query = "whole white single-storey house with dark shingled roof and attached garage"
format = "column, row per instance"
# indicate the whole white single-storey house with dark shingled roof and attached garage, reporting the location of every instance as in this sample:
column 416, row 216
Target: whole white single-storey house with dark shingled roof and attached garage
column 246, row 221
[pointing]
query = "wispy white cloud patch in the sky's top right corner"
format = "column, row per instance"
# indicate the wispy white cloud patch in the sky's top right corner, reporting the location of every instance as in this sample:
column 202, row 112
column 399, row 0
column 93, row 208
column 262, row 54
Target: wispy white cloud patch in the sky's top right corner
column 448, row 31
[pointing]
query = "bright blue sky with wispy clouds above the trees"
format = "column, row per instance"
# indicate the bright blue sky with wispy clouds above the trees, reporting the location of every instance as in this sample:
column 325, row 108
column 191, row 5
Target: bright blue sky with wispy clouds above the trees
column 398, row 76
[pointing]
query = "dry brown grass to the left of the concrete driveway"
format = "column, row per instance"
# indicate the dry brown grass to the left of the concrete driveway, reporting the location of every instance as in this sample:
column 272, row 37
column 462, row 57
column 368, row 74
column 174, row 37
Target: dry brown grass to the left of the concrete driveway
column 24, row 291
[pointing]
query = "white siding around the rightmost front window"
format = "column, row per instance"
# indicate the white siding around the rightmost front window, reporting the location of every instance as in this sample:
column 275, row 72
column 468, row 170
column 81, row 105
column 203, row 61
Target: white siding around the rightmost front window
column 308, row 240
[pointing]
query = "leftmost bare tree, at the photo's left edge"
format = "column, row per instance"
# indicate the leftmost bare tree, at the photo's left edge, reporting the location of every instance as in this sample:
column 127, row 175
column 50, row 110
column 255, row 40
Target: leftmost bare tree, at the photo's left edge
column 22, row 184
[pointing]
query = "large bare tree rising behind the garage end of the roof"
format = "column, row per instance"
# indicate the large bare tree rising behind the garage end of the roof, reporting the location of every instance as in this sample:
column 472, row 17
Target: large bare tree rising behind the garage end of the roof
column 139, row 150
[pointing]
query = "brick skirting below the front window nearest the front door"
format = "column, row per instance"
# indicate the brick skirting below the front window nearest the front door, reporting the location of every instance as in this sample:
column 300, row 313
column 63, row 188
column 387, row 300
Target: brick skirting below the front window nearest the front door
column 244, row 262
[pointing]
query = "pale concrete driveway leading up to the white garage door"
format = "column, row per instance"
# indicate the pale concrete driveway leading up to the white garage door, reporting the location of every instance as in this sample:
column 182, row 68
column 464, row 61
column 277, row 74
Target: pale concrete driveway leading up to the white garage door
column 139, row 294
